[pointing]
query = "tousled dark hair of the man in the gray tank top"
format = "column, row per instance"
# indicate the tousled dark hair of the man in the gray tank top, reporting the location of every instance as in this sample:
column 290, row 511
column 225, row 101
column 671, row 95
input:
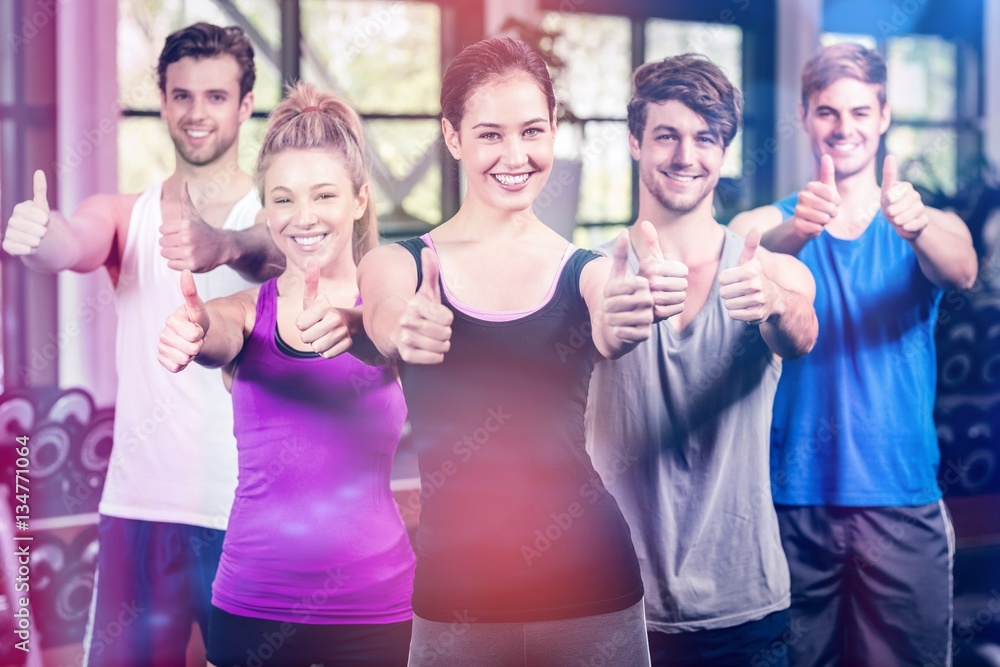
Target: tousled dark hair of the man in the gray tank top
column 696, row 82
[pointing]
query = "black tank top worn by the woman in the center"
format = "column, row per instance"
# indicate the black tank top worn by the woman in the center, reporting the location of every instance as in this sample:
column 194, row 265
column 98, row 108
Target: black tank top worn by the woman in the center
column 515, row 524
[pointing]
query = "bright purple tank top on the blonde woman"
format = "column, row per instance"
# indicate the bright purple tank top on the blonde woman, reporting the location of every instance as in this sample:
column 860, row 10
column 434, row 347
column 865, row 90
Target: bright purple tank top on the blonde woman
column 314, row 535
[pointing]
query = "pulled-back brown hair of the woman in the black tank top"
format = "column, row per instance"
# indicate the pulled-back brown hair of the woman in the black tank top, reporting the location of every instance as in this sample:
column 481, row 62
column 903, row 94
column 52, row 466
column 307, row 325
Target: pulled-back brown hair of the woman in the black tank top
column 485, row 62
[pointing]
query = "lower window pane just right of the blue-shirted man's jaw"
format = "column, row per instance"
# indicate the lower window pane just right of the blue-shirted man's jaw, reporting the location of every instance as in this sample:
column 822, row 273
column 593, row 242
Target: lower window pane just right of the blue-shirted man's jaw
column 927, row 157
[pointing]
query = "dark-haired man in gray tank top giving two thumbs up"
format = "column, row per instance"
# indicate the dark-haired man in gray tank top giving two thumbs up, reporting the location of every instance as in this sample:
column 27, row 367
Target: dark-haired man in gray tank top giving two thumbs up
column 679, row 428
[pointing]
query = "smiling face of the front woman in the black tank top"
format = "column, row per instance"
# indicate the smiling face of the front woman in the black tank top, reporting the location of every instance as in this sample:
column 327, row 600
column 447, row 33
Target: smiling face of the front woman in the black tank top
column 505, row 143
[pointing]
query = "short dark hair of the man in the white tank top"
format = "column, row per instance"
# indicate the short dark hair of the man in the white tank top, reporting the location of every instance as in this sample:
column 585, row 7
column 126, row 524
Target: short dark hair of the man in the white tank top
column 204, row 40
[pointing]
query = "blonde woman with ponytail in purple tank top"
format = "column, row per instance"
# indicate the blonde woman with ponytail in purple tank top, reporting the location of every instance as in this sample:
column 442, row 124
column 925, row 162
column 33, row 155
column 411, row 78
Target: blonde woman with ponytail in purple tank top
column 316, row 564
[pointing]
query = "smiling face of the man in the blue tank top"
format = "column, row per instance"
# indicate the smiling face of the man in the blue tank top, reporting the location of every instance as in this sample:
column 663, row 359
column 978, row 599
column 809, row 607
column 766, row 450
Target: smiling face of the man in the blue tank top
column 845, row 120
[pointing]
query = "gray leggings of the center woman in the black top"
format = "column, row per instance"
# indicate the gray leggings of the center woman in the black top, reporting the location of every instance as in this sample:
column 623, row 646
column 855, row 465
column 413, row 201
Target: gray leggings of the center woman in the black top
column 618, row 639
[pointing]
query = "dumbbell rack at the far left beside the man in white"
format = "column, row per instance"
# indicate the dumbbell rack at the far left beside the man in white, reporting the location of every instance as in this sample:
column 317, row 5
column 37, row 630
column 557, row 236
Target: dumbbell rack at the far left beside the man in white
column 70, row 445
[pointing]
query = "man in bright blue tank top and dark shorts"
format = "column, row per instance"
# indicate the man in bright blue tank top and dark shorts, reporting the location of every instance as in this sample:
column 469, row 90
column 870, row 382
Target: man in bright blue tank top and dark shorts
column 854, row 455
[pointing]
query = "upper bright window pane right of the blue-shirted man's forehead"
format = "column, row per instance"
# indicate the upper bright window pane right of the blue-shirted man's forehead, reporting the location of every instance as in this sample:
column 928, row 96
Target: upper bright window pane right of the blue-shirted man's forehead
column 922, row 78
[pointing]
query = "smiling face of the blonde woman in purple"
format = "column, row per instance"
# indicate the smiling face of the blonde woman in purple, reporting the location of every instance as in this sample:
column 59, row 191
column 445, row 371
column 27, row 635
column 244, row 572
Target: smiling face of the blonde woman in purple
column 311, row 206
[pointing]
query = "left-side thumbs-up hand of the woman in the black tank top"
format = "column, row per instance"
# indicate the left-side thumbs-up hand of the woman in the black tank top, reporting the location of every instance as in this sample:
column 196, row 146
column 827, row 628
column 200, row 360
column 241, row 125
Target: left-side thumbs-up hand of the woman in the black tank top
column 423, row 335
